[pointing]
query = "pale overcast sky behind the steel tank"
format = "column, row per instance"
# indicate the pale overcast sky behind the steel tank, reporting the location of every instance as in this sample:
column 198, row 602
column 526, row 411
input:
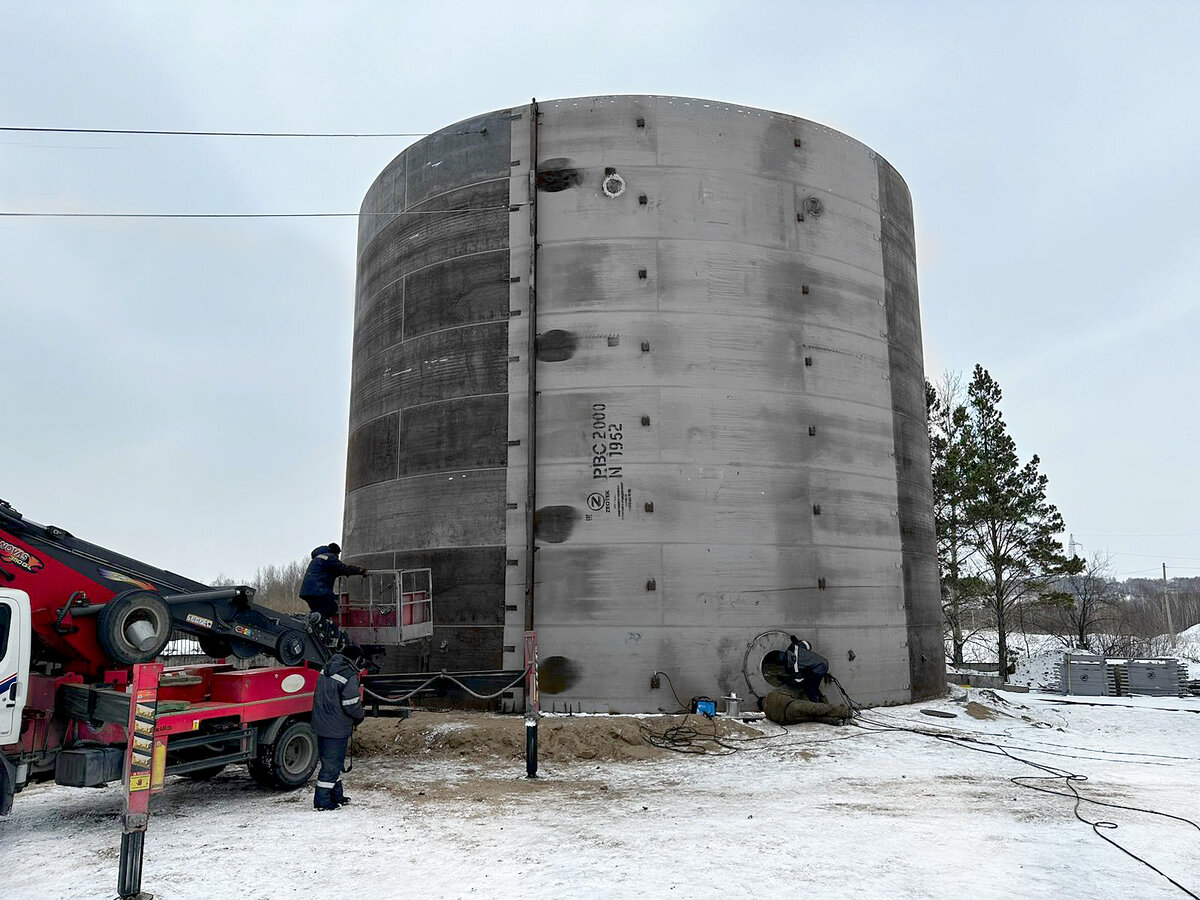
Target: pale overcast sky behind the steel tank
column 178, row 391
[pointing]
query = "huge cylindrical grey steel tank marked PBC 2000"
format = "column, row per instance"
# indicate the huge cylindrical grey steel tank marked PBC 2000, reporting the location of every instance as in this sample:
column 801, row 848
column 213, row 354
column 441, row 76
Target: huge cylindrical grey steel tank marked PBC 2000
column 667, row 407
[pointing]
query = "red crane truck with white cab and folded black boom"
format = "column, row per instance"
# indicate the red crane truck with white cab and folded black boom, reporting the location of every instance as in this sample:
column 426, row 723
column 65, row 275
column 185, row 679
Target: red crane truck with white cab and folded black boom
column 76, row 620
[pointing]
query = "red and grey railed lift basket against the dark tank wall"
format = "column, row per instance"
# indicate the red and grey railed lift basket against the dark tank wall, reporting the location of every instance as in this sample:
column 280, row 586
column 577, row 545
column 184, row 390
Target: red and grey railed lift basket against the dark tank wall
column 395, row 608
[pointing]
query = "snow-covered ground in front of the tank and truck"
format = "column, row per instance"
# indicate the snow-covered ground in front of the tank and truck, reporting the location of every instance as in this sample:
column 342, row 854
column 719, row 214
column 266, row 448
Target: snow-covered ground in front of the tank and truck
column 820, row 812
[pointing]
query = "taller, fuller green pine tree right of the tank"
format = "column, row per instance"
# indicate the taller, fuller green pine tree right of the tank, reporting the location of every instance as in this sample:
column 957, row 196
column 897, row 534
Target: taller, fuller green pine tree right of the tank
column 1010, row 525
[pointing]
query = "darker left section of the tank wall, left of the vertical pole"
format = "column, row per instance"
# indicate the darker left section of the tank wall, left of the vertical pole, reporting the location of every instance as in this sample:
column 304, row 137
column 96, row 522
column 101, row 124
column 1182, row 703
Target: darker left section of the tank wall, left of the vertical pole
column 429, row 399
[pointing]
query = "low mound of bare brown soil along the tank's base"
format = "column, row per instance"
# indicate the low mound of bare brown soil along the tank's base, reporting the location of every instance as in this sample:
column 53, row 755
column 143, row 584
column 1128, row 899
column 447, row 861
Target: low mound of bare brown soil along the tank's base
column 560, row 739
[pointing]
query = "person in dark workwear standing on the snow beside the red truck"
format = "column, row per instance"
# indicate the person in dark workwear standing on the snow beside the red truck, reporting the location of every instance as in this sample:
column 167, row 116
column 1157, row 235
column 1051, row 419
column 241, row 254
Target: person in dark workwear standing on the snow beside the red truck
column 337, row 710
